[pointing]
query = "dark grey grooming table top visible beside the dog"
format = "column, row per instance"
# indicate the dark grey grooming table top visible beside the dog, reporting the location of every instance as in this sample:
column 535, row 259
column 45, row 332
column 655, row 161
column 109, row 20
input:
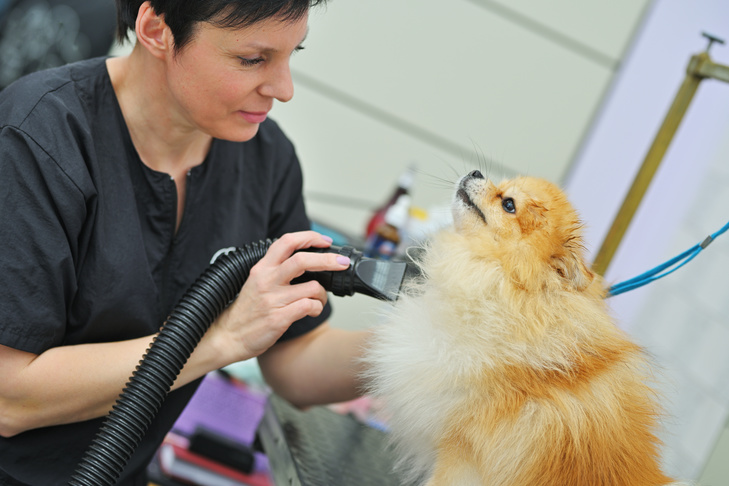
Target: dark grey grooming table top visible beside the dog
column 319, row 447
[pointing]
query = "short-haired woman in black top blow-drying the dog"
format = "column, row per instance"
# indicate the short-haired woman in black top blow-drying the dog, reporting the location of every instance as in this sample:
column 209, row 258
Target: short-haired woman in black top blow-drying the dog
column 121, row 178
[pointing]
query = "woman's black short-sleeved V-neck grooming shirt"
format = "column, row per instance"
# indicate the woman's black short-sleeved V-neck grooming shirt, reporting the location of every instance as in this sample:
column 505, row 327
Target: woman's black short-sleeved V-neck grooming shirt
column 88, row 246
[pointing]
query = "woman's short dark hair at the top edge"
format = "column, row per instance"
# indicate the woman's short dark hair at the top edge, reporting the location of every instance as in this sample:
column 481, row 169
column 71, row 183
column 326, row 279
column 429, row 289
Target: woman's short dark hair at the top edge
column 182, row 15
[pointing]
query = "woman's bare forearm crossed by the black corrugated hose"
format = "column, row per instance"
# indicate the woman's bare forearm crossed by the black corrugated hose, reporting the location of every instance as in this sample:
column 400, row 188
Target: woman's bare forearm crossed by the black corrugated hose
column 75, row 383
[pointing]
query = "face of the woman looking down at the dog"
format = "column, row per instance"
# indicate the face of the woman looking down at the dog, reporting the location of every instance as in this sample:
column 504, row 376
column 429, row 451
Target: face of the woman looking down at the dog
column 224, row 81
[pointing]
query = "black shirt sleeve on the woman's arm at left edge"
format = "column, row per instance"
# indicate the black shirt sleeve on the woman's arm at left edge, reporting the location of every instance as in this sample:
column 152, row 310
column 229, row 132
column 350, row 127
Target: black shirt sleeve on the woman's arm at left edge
column 41, row 210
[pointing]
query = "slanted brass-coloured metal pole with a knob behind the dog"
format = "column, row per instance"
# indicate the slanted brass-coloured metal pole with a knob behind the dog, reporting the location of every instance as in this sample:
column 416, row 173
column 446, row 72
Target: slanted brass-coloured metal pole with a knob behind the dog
column 700, row 66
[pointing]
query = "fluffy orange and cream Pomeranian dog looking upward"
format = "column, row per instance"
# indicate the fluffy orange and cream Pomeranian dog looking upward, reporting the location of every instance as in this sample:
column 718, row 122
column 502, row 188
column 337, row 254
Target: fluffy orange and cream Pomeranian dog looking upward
column 502, row 366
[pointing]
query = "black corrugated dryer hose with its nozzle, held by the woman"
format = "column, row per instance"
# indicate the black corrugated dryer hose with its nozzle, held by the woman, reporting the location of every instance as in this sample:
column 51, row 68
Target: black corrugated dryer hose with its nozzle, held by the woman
column 203, row 302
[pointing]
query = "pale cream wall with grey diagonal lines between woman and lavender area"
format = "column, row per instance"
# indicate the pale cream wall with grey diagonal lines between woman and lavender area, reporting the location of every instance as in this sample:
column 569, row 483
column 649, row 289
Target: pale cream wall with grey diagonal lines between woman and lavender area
column 448, row 85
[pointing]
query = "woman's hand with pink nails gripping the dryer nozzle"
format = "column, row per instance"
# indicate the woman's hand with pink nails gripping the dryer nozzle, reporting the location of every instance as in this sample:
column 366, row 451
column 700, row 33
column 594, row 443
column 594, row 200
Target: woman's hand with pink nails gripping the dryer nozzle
column 267, row 304
